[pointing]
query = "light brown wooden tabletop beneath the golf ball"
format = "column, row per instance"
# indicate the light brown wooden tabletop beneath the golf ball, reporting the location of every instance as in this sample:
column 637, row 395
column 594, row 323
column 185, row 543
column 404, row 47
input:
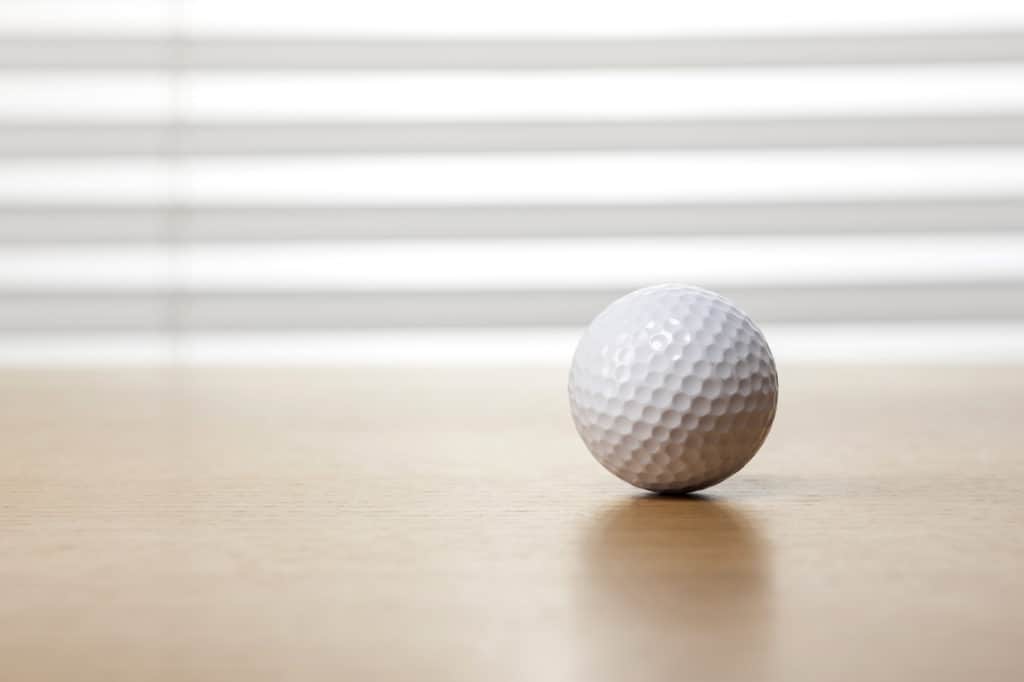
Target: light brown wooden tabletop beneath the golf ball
column 448, row 525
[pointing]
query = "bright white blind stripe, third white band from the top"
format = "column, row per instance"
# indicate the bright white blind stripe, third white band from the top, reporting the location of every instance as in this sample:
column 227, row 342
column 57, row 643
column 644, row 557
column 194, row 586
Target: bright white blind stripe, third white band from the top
column 544, row 179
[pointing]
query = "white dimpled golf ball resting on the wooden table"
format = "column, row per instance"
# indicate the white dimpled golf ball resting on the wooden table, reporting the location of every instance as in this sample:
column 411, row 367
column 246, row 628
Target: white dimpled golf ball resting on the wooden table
column 673, row 389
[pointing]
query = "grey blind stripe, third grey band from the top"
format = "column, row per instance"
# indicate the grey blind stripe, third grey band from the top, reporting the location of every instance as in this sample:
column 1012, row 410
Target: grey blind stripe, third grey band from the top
column 42, row 224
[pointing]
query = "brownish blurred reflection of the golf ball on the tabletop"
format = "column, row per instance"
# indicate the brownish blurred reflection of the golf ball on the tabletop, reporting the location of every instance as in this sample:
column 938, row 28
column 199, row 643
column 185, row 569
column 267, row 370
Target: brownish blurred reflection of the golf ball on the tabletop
column 674, row 585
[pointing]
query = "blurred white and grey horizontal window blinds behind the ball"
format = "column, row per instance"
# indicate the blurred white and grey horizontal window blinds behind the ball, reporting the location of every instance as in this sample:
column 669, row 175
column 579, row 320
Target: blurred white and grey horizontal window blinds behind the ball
column 454, row 182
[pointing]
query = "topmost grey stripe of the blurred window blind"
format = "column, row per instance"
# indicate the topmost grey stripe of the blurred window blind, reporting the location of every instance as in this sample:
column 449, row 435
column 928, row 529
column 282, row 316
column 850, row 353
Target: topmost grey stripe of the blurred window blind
column 383, row 54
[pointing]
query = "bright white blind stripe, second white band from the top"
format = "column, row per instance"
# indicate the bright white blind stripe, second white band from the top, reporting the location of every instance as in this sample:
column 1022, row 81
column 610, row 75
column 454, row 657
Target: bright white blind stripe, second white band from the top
column 303, row 98
